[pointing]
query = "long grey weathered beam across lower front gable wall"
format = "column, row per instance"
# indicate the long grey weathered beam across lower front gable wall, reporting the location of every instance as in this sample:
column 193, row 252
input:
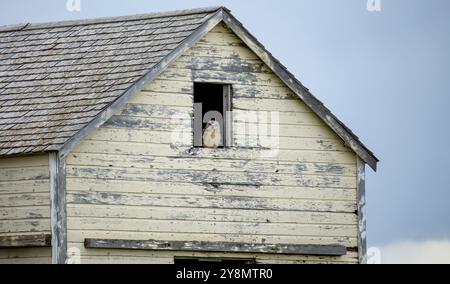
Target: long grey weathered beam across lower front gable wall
column 291, row 249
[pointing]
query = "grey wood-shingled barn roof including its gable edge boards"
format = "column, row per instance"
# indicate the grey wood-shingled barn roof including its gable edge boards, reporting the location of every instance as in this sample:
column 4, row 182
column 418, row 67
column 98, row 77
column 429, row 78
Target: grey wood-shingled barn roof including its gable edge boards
column 99, row 68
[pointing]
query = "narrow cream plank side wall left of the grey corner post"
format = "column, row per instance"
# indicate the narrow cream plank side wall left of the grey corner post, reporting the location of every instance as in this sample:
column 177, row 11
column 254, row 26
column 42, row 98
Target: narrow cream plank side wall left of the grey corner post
column 25, row 205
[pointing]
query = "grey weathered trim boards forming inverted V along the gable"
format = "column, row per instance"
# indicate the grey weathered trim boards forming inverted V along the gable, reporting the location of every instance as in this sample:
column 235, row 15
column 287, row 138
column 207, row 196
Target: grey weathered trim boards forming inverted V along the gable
column 223, row 15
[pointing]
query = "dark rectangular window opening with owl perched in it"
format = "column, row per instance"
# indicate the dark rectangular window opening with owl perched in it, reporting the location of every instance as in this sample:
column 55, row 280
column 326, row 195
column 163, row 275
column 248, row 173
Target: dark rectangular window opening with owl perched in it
column 212, row 115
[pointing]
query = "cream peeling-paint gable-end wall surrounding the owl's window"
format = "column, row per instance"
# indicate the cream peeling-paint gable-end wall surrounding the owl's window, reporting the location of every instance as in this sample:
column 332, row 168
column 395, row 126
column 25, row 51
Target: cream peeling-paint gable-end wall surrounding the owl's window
column 130, row 180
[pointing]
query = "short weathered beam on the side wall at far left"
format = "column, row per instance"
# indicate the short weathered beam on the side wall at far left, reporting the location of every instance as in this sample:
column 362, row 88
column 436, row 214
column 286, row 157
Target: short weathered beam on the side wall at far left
column 26, row 241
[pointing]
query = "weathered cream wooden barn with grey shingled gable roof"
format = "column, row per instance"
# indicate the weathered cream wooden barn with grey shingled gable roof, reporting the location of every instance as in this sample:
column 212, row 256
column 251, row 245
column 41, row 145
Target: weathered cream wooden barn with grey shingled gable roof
column 101, row 157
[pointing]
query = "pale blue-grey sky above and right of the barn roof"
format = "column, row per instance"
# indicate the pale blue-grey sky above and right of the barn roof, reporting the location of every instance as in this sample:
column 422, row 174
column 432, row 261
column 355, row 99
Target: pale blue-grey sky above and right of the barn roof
column 385, row 74
